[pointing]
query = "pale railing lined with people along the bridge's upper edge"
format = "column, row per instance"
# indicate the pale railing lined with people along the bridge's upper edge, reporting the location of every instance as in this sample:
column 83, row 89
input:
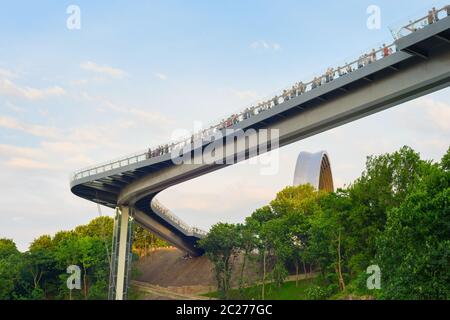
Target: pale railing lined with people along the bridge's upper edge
column 288, row 93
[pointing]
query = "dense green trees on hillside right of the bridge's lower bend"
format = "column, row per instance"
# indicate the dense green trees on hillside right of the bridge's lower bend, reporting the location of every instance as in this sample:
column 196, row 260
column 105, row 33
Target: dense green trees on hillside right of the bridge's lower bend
column 395, row 216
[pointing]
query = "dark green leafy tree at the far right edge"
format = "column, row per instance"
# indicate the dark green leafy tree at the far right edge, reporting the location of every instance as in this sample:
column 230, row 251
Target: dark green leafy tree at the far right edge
column 414, row 249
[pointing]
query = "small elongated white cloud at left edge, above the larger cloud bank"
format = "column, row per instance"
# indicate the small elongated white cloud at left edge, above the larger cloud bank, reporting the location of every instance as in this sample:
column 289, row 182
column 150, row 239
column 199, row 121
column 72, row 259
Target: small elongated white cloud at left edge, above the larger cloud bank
column 9, row 88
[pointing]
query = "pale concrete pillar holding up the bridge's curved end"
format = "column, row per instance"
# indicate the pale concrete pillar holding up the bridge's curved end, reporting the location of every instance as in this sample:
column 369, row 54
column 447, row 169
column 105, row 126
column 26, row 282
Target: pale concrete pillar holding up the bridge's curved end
column 123, row 252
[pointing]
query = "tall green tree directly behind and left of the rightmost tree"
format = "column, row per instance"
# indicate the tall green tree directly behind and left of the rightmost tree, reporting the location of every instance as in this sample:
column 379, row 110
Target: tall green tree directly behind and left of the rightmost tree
column 383, row 186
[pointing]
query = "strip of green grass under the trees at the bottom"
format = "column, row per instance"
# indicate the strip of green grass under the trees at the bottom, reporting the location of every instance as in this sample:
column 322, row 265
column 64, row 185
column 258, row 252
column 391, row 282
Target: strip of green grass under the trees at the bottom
column 288, row 291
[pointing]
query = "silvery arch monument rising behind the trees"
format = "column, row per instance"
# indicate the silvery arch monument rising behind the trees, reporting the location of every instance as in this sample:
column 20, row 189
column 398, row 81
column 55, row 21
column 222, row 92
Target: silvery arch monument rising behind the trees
column 314, row 169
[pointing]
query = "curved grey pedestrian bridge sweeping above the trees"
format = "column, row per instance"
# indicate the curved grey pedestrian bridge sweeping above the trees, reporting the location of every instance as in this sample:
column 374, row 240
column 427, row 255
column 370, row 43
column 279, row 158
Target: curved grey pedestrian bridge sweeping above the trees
column 418, row 65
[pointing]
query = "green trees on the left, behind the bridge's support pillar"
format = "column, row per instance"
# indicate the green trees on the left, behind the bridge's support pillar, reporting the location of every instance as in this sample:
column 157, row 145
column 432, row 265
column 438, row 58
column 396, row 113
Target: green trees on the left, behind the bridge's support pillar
column 40, row 273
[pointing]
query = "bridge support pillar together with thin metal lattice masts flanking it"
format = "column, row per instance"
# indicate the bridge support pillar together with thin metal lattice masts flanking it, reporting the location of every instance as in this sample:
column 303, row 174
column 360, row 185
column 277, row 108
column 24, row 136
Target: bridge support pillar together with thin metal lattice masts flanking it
column 121, row 254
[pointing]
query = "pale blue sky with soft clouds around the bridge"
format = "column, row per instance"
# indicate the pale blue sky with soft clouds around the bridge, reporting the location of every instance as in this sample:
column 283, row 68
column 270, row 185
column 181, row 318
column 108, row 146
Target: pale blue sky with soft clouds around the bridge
column 136, row 71
